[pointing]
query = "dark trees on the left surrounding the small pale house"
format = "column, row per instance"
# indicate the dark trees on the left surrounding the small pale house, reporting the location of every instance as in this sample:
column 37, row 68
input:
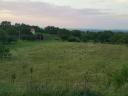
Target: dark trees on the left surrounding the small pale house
column 17, row 31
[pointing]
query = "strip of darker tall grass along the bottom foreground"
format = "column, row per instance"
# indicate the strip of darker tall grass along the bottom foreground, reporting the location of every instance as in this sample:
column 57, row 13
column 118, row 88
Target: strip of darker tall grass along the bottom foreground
column 43, row 90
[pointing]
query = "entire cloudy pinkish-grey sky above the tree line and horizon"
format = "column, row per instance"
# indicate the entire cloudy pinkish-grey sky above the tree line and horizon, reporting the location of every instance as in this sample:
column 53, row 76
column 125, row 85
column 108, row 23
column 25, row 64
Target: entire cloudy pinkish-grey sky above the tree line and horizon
column 95, row 14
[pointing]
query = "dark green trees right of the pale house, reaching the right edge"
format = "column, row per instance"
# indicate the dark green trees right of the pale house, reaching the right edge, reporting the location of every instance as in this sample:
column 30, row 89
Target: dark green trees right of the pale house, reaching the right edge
column 88, row 36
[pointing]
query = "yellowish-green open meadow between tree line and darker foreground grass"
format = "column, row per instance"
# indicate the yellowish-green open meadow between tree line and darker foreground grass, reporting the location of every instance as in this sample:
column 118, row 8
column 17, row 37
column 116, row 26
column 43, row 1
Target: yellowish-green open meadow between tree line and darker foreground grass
column 62, row 63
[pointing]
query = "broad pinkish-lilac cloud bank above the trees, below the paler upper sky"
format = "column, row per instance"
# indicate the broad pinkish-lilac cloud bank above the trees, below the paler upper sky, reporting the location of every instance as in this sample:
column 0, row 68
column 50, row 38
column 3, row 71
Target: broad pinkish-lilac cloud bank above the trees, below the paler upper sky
column 44, row 14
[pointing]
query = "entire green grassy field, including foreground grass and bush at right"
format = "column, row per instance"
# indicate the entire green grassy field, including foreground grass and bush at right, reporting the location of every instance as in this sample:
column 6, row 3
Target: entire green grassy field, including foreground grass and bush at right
column 101, row 68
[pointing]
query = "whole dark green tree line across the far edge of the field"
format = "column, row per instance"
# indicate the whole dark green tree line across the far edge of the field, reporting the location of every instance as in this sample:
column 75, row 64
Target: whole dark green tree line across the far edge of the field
column 11, row 33
